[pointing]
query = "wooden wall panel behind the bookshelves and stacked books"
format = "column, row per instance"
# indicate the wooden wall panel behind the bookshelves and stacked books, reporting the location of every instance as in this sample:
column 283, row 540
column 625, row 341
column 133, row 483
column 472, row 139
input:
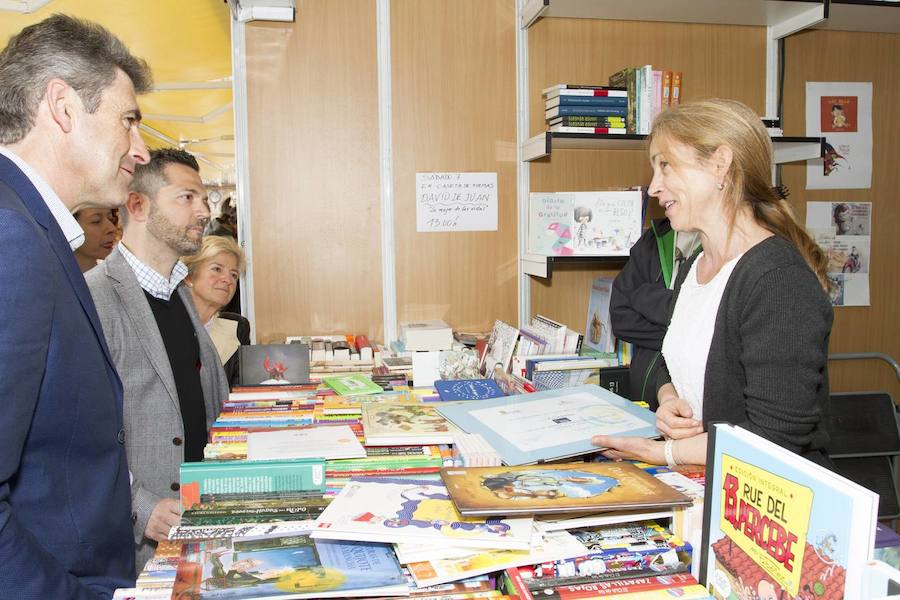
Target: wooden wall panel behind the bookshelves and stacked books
column 717, row 60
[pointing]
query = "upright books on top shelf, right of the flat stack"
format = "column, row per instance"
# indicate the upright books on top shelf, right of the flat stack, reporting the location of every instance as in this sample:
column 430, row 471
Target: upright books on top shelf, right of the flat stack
column 650, row 91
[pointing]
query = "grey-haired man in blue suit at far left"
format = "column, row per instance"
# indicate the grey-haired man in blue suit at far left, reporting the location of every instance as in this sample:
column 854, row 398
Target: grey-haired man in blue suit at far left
column 68, row 139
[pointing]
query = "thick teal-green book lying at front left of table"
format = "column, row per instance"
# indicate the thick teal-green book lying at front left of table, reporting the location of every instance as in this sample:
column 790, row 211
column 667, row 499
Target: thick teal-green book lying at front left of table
column 229, row 477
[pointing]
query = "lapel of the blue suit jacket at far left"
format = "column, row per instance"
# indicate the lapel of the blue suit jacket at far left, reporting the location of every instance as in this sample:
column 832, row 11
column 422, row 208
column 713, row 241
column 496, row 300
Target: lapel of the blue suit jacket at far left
column 60, row 245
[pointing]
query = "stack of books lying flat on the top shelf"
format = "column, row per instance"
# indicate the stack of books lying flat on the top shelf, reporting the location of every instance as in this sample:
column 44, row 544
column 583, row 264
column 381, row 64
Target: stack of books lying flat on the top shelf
column 586, row 108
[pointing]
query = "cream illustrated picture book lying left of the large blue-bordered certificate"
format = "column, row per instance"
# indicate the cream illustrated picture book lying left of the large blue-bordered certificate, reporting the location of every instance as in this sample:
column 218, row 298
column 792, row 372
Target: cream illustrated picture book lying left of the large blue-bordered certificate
column 387, row 424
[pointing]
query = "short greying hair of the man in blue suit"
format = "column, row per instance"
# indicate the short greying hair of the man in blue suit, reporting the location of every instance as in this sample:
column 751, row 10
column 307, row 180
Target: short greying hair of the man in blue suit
column 83, row 54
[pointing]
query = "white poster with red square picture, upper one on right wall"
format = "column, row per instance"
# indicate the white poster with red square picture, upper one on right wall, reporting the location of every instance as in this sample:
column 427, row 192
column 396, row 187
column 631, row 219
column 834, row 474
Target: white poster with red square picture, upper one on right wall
column 842, row 114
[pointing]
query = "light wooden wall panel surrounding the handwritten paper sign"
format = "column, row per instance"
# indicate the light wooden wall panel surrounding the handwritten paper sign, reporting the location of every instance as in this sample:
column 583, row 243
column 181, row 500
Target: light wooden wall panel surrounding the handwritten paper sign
column 454, row 104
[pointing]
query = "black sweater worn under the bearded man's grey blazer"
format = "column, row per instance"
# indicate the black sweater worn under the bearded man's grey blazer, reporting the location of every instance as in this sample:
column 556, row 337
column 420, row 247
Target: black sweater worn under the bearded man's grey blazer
column 183, row 349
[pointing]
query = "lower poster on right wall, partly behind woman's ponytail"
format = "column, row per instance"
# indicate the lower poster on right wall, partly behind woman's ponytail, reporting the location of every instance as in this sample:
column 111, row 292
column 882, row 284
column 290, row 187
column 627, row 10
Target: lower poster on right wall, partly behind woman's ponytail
column 843, row 231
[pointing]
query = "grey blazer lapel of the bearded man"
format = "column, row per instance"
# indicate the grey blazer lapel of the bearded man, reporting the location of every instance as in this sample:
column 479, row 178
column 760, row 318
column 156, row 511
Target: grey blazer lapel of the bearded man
column 135, row 305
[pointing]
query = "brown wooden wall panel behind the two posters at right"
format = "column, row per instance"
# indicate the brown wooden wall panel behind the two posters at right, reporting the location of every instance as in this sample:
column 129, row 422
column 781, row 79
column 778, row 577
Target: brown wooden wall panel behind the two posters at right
column 842, row 56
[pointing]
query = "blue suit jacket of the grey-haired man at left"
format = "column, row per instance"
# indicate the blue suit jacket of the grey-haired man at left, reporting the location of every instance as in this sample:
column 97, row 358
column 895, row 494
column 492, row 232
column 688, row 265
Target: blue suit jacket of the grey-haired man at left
column 65, row 504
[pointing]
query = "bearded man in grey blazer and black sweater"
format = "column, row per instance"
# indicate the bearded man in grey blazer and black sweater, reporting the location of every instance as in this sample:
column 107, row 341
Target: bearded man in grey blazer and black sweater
column 174, row 382
